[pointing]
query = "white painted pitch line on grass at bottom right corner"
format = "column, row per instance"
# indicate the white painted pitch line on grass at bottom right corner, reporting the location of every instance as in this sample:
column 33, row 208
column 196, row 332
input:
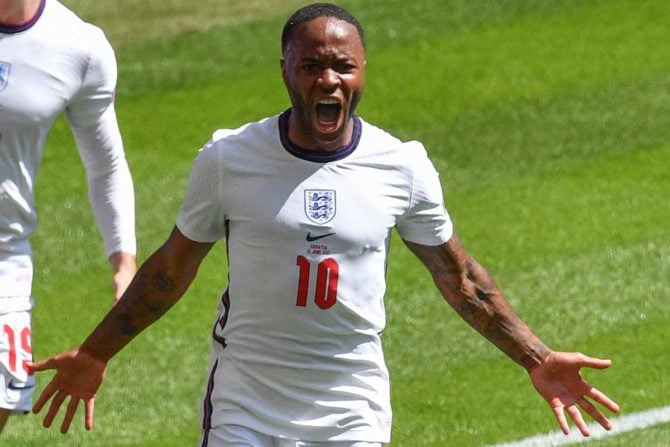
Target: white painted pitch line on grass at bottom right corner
column 622, row 424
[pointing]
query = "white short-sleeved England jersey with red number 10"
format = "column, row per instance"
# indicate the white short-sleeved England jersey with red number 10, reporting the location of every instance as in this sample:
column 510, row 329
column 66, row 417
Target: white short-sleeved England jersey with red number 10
column 308, row 238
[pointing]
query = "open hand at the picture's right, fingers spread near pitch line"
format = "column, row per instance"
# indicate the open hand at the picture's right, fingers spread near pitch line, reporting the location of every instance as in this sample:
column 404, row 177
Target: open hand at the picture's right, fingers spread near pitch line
column 559, row 381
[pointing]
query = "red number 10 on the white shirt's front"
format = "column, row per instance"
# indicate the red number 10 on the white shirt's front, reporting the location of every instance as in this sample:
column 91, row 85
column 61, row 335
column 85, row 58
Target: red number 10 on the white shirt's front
column 327, row 274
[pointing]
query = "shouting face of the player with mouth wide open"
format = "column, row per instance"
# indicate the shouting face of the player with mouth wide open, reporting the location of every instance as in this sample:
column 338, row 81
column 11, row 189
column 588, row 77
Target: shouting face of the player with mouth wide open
column 324, row 71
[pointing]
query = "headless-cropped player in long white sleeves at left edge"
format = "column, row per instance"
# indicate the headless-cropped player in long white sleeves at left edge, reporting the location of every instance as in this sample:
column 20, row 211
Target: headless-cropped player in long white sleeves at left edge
column 53, row 62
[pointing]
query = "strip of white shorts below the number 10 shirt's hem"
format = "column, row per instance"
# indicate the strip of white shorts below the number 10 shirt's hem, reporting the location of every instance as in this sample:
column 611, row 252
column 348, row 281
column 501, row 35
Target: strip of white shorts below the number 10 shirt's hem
column 237, row 436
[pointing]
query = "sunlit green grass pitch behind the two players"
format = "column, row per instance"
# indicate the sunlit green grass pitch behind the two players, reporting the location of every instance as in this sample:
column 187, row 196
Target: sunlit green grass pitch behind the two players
column 549, row 121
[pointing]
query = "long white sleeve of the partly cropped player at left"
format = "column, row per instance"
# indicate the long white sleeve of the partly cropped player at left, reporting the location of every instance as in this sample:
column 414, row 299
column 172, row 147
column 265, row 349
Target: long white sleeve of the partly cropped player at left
column 93, row 120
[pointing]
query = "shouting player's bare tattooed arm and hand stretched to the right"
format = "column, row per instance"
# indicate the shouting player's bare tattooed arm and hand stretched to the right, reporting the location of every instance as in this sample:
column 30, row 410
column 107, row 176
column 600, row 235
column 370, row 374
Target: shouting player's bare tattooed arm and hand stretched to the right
column 472, row 292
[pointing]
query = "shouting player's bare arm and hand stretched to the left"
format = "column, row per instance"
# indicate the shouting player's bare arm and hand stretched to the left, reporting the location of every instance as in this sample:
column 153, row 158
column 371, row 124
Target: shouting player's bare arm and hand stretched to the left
column 158, row 284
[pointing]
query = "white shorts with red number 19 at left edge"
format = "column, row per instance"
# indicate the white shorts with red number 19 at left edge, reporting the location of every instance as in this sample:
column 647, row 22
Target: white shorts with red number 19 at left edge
column 16, row 385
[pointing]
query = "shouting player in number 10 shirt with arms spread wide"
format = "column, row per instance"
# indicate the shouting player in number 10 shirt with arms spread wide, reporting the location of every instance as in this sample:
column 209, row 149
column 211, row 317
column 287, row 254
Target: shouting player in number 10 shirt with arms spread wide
column 306, row 202
